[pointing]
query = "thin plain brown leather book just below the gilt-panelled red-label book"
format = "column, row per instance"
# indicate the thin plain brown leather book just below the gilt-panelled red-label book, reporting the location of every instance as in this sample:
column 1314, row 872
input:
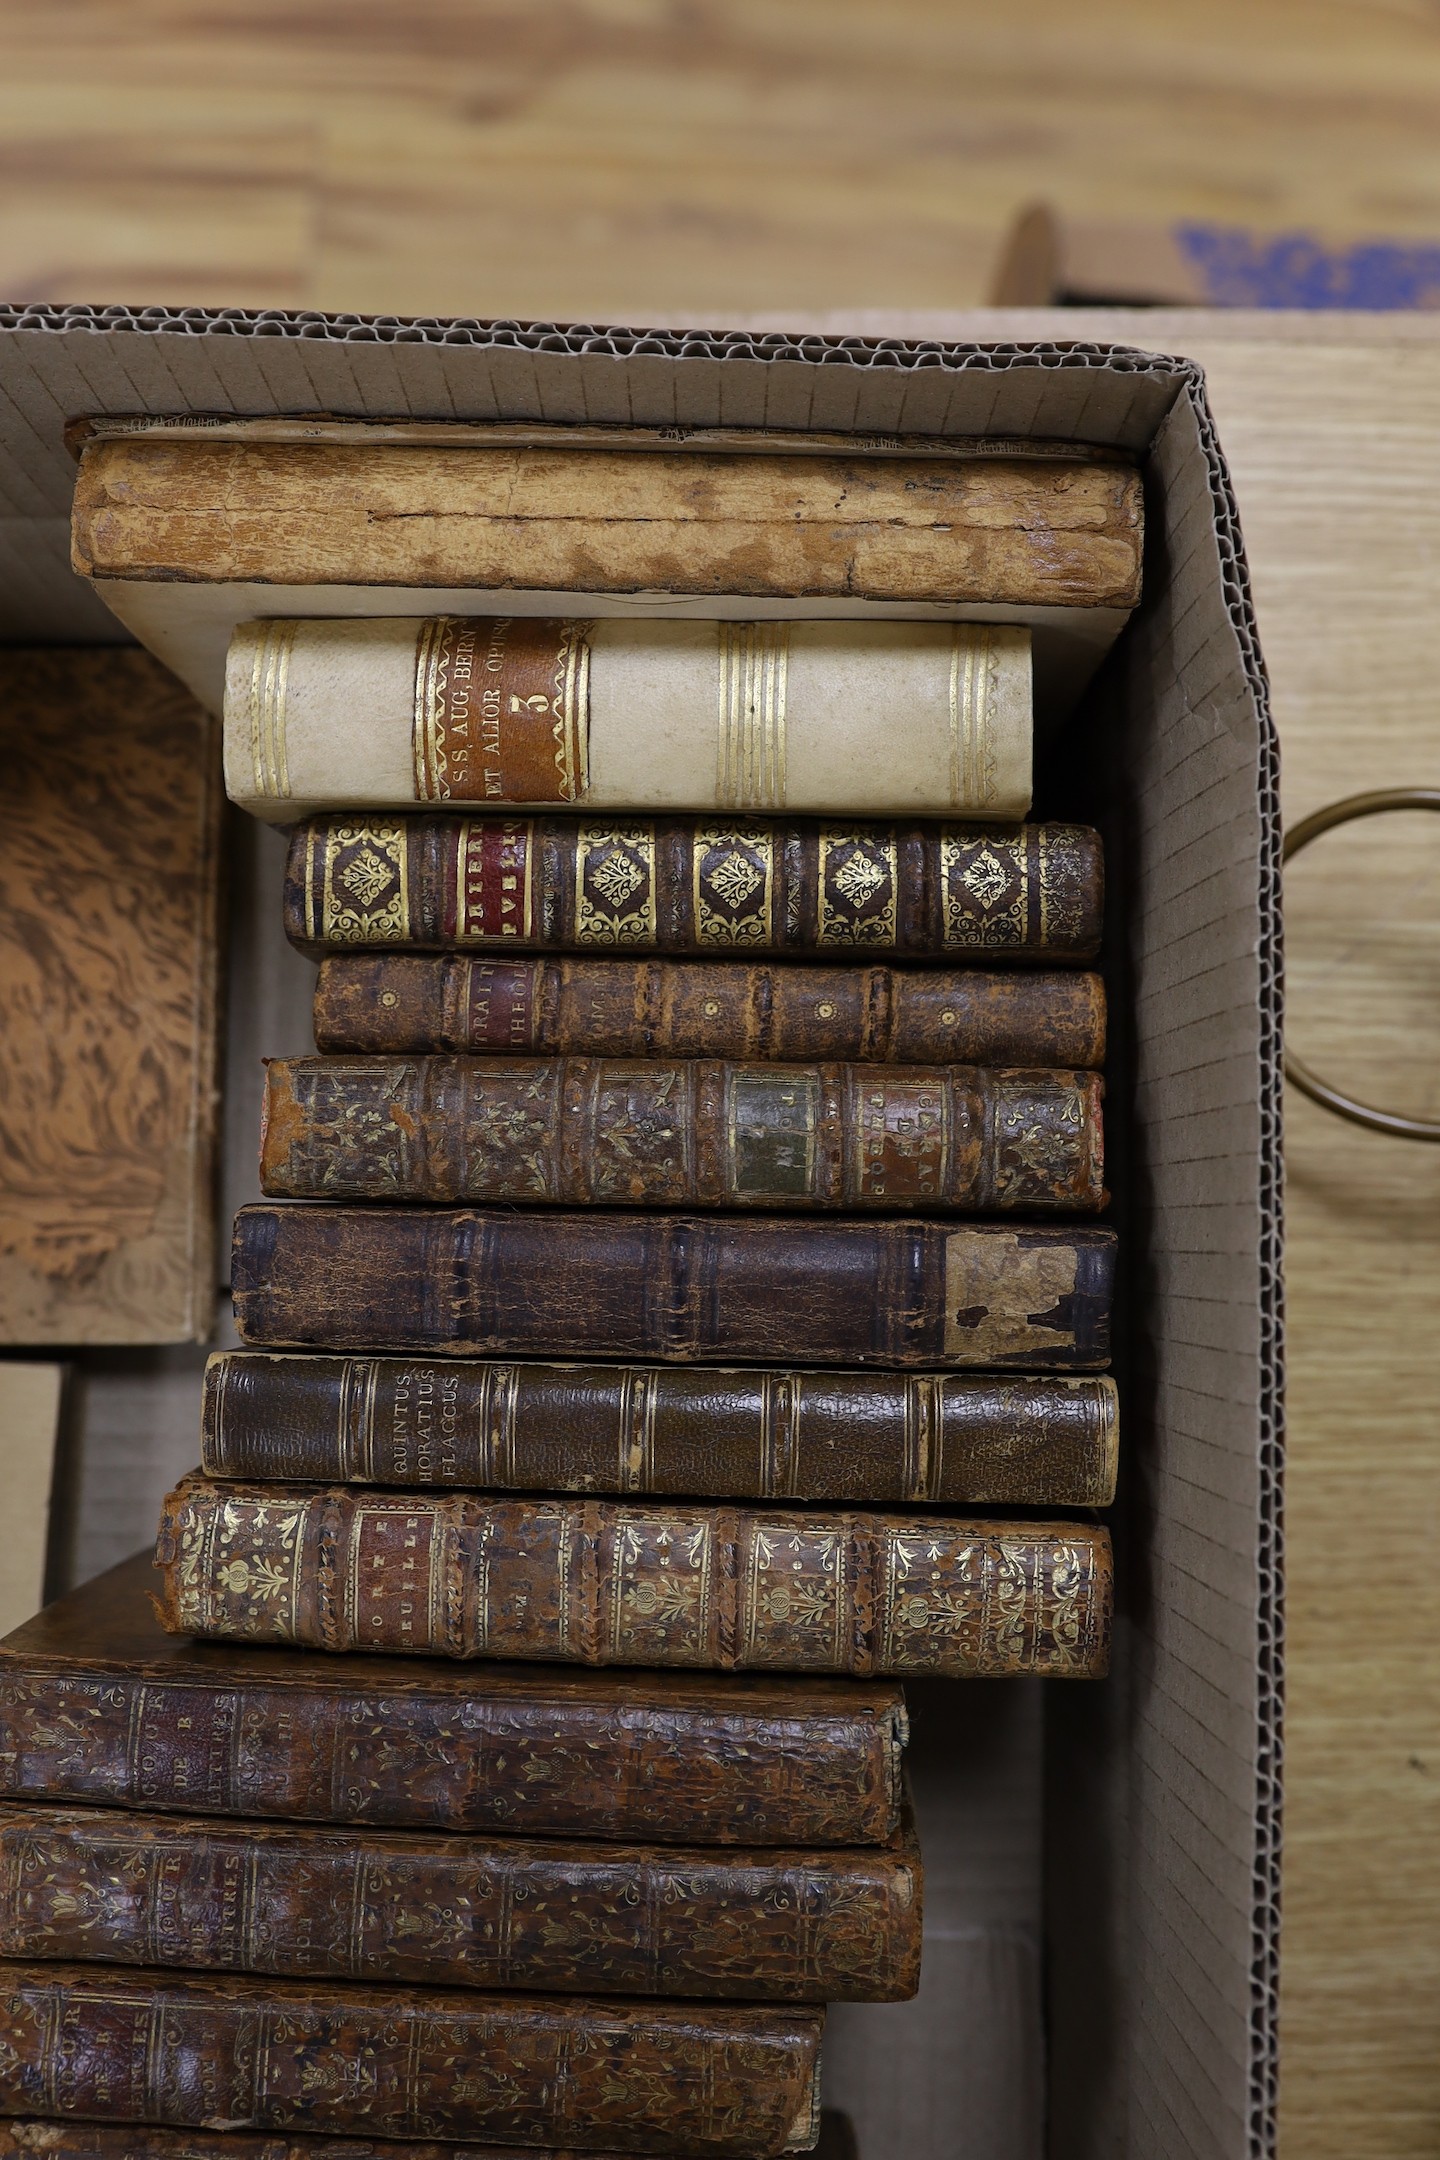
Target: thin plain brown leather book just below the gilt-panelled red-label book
column 709, row 1010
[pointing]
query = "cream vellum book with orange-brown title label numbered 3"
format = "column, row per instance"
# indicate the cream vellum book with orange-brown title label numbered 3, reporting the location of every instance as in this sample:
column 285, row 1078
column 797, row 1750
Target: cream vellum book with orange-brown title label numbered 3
column 631, row 716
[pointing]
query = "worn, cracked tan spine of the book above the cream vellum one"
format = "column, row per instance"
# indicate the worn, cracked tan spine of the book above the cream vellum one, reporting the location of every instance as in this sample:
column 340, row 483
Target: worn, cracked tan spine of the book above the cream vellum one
column 1007, row 530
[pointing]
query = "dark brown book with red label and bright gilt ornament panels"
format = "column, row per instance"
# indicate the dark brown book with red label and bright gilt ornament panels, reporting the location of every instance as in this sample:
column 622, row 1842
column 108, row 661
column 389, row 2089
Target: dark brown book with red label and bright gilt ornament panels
column 690, row 885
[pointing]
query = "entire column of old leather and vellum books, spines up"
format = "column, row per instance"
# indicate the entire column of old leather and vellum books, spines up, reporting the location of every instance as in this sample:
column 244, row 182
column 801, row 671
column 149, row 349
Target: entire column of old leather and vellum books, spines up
column 679, row 1312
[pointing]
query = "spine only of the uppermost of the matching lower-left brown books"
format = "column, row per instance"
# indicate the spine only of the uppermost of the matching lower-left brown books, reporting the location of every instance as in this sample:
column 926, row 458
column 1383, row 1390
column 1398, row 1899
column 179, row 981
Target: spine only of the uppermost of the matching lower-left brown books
column 347, row 1753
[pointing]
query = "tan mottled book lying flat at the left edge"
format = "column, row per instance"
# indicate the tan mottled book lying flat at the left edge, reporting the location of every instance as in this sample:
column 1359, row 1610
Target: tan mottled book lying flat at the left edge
column 109, row 1034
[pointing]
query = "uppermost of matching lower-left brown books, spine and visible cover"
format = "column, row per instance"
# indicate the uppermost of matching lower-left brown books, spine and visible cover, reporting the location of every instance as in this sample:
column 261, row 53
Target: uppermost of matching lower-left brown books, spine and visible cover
column 100, row 1705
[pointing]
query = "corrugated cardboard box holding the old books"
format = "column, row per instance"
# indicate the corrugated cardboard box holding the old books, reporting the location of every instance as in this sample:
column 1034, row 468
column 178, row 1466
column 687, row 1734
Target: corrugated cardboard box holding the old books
column 1156, row 1796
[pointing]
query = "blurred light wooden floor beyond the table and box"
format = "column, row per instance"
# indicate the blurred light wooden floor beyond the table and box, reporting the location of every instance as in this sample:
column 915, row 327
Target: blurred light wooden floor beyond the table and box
column 623, row 161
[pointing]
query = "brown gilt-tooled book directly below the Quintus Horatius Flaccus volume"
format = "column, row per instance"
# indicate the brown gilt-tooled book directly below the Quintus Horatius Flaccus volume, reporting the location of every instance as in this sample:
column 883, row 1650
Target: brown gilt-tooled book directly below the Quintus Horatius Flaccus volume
column 603, row 1584
